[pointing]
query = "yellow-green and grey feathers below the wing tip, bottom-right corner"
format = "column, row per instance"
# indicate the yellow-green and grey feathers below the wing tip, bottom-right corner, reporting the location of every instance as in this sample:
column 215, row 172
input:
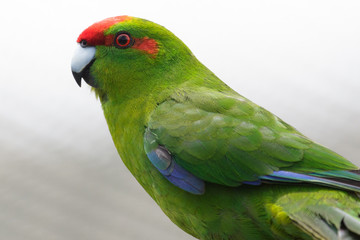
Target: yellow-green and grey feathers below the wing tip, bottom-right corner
column 312, row 212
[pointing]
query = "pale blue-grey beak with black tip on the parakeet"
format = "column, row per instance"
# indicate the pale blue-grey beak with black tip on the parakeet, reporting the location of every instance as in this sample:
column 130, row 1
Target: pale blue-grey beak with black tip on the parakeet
column 81, row 62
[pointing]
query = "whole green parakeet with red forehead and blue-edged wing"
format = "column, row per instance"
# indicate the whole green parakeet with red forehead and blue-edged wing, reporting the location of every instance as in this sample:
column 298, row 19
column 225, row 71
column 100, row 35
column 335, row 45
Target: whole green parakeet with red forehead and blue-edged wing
column 218, row 165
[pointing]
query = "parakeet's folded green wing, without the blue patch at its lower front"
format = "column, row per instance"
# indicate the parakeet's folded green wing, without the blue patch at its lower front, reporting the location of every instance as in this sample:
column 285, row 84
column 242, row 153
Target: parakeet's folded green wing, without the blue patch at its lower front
column 226, row 139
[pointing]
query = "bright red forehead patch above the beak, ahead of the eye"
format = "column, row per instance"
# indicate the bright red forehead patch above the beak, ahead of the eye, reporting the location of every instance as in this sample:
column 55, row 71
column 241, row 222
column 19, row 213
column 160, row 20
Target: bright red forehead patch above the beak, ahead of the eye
column 94, row 35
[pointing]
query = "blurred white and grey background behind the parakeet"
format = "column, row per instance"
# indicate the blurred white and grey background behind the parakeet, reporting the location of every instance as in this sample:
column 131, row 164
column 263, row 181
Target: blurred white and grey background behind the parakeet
column 60, row 175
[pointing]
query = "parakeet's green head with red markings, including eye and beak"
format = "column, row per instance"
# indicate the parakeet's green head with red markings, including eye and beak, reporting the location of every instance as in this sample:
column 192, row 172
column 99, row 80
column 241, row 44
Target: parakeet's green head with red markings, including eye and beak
column 121, row 51
